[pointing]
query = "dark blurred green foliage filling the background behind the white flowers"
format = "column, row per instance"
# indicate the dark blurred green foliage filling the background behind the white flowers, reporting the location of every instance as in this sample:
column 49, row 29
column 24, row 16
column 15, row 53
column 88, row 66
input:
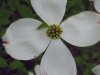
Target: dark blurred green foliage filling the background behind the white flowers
column 11, row 10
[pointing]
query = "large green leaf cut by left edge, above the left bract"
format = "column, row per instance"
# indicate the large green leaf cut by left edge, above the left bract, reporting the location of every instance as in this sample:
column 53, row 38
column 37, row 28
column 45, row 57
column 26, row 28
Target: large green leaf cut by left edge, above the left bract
column 4, row 15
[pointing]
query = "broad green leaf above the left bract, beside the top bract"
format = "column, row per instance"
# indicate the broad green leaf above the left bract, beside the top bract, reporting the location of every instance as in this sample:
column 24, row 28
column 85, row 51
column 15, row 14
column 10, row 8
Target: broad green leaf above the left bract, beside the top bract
column 26, row 11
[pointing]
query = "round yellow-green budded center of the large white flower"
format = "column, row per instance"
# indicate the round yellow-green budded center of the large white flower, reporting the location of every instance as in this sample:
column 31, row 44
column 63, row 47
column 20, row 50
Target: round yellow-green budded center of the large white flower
column 54, row 31
